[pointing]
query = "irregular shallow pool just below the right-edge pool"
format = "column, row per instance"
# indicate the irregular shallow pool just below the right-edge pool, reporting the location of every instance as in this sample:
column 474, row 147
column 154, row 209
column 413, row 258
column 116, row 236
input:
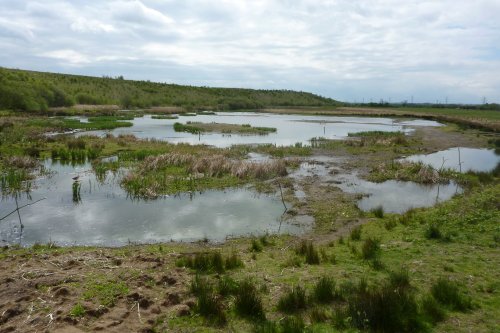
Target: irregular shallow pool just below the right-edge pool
column 396, row 196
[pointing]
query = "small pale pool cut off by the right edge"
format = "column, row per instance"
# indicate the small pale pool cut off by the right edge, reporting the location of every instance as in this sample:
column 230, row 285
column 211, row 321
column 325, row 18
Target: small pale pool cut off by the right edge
column 472, row 159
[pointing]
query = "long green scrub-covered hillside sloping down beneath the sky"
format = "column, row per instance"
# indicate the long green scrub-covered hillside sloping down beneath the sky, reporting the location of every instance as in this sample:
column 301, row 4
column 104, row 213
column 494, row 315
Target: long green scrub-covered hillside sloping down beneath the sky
column 38, row 91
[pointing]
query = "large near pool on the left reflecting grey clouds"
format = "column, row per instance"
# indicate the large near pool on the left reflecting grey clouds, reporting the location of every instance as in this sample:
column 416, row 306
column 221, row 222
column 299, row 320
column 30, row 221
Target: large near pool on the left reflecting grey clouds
column 103, row 215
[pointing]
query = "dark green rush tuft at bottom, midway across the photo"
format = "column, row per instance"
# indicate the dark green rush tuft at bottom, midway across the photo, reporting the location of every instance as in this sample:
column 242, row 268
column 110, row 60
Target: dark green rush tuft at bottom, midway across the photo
column 248, row 302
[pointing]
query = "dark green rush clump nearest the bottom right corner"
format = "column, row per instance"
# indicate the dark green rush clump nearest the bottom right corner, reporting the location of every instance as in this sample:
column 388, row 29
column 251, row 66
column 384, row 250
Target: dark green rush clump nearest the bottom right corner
column 447, row 293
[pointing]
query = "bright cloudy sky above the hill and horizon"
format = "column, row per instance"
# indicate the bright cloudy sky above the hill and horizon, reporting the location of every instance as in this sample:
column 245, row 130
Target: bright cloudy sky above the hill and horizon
column 350, row 50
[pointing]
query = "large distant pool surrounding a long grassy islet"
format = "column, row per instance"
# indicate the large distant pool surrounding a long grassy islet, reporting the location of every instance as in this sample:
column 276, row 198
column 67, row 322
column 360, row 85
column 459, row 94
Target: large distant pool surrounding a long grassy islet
column 291, row 129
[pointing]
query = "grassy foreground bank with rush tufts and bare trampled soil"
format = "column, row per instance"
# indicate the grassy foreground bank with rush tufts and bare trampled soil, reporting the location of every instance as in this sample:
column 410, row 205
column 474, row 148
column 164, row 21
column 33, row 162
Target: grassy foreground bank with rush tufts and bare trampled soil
column 434, row 269
